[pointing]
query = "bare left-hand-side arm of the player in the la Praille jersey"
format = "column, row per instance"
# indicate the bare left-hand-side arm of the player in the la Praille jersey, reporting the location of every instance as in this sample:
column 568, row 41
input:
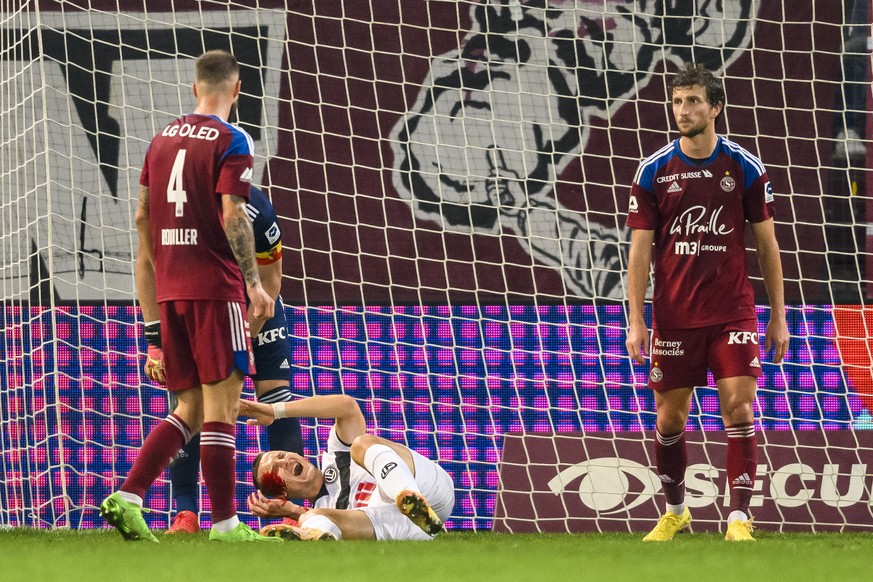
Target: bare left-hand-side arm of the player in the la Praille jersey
column 639, row 261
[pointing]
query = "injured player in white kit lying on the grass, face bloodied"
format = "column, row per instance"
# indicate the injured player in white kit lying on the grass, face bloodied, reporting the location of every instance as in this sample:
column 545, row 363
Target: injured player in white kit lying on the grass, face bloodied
column 366, row 488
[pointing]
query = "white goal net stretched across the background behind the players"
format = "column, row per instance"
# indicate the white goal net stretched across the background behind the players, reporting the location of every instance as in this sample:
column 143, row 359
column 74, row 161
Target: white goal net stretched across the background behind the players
column 452, row 181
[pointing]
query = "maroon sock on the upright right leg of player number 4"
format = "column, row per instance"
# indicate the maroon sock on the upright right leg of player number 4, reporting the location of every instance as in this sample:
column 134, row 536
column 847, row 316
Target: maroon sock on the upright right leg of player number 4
column 217, row 451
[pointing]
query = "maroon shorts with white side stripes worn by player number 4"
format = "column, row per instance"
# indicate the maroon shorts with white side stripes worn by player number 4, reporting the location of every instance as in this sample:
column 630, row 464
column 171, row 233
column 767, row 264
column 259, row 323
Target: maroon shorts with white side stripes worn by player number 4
column 204, row 341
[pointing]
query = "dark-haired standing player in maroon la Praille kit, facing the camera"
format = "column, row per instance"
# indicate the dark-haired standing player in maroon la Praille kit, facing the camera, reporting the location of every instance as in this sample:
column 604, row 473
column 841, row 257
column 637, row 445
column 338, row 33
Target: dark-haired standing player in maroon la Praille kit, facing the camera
column 688, row 207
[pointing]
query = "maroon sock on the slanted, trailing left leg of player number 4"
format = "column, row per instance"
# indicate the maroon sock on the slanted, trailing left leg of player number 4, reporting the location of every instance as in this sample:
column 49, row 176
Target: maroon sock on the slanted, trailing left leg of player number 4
column 160, row 447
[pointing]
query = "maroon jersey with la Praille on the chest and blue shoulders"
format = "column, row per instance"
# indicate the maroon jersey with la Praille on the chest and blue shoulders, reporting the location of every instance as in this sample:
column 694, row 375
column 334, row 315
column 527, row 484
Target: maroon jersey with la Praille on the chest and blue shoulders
column 698, row 210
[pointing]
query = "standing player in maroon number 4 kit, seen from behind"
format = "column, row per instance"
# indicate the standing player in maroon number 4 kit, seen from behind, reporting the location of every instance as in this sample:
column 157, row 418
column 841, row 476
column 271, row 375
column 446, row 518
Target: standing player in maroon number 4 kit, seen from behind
column 196, row 258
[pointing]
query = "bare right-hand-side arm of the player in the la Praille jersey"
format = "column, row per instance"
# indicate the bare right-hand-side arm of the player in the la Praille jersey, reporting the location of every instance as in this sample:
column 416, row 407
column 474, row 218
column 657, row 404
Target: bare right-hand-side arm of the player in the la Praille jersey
column 767, row 249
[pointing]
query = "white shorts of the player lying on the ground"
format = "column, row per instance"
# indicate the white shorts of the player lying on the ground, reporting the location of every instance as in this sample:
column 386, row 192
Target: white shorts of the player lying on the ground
column 436, row 486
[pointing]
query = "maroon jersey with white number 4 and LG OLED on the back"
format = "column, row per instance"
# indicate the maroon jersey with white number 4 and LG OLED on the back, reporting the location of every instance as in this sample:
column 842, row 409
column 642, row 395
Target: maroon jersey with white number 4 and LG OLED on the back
column 187, row 168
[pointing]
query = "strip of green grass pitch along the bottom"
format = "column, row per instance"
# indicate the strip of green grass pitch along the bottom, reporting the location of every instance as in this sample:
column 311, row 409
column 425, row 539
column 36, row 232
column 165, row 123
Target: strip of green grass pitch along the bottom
column 95, row 555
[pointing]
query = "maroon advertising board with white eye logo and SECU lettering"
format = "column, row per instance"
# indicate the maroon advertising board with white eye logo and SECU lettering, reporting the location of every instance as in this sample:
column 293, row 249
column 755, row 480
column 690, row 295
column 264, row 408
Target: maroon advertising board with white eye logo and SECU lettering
column 603, row 481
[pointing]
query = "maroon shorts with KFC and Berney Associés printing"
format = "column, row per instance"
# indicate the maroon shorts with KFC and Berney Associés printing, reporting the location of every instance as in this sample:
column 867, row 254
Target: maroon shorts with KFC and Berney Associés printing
column 681, row 357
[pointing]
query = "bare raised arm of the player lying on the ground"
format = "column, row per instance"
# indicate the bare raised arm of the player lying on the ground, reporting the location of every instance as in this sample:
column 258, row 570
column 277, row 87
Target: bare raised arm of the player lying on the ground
column 350, row 421
